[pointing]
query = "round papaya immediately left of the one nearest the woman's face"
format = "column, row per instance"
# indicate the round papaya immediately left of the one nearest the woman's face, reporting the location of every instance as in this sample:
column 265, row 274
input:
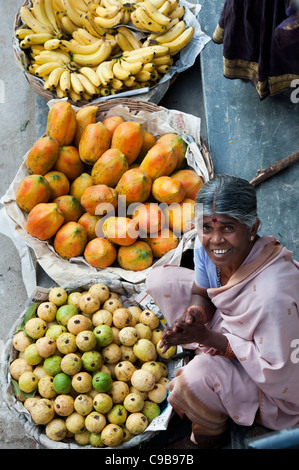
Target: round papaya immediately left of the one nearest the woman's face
column 149, row 217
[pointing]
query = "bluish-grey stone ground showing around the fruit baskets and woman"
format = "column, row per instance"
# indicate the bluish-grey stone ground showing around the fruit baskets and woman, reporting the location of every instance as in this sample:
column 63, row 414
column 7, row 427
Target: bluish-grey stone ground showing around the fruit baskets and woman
column 261, row 132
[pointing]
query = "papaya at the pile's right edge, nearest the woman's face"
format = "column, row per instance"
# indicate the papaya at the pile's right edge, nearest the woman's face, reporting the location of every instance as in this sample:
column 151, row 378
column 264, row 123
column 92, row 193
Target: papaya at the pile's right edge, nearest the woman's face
column 180, row 216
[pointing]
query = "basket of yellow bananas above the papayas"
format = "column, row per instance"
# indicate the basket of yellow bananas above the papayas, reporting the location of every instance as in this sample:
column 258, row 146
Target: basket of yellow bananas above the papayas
column 85, row 50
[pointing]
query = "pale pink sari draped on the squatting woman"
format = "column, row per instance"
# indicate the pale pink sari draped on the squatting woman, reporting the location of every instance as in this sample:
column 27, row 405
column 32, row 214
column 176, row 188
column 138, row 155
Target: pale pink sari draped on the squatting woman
column 258, row 312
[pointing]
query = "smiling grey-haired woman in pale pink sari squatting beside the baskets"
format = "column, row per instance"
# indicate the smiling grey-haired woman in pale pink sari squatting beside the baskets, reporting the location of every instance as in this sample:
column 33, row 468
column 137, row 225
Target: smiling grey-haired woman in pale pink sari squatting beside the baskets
column 238, row 310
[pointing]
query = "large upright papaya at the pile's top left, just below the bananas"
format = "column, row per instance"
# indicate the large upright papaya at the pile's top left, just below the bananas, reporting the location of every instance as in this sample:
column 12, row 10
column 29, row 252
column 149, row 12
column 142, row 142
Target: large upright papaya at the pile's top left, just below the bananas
column 61, row 123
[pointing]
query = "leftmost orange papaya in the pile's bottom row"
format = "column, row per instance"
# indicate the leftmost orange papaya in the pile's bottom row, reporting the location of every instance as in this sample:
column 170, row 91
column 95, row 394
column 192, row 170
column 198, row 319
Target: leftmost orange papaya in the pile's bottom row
column 70, row 240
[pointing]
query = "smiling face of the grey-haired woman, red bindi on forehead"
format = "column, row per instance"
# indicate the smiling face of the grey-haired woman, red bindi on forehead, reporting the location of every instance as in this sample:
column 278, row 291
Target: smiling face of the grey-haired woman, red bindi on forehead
column 226, row 241
